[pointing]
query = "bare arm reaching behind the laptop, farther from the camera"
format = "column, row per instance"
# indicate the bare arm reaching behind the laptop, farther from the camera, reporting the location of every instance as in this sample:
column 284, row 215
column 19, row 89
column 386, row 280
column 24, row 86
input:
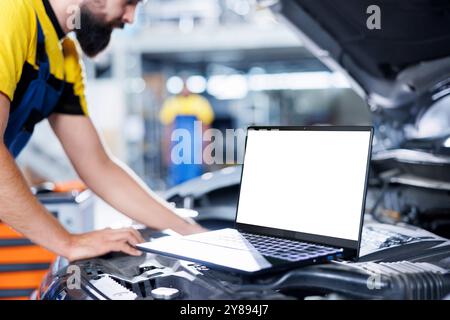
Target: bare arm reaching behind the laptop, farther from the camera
column 112, row 181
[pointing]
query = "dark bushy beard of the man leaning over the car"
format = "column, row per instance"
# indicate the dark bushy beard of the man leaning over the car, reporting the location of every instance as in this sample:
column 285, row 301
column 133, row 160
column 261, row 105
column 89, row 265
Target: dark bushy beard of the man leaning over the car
column 94, row 34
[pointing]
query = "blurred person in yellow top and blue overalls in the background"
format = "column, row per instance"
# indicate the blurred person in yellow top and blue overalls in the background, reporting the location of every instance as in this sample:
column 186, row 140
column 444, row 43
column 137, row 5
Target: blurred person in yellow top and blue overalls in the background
column 190, row 112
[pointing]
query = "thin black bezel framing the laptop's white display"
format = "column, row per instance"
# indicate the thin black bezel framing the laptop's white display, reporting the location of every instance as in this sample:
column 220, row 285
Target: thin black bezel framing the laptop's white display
column 351, row 247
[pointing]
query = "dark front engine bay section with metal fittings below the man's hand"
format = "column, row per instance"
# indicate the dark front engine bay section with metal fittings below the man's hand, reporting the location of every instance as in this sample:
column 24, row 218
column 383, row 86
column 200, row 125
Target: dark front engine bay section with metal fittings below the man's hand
column 105, row 280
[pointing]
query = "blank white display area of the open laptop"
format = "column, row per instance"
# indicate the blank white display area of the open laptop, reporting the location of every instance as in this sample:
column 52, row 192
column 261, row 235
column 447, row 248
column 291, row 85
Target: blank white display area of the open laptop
column 305, row 181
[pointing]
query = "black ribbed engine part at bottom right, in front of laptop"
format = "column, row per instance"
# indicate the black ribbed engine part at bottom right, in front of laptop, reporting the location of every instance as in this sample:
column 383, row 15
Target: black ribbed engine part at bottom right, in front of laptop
column 400, row 280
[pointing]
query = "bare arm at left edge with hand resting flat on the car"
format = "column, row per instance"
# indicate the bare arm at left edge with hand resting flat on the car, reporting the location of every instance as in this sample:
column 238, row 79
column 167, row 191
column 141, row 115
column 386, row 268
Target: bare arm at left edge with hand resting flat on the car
column 22, row 211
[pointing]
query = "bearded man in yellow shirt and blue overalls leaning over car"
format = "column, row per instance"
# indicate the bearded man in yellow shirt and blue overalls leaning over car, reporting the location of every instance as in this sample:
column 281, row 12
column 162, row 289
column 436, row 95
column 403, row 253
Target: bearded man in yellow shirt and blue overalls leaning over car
column 41, row 76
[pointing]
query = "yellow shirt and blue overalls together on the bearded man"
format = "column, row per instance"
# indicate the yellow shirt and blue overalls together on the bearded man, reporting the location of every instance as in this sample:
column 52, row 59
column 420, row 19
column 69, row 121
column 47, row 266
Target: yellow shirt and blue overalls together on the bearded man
column 40, row 69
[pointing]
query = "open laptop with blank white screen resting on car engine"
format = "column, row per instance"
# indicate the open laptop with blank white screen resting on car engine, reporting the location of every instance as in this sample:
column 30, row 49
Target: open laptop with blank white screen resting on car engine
column 301, row 202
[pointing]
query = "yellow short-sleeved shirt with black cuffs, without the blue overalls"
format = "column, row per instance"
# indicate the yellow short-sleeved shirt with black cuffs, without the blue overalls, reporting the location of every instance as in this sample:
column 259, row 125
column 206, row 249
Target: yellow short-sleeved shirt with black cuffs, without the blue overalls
column 18, row 46
